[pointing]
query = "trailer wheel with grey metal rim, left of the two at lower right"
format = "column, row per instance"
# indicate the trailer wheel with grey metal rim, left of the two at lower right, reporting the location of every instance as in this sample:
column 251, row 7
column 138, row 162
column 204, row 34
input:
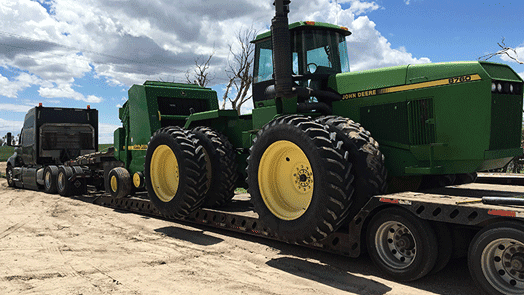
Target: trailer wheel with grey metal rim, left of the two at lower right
column 401, row 245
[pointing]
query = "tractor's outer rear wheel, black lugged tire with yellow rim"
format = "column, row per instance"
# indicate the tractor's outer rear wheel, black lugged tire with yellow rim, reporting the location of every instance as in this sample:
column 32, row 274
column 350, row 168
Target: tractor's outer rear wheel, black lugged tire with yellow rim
column 175, row 172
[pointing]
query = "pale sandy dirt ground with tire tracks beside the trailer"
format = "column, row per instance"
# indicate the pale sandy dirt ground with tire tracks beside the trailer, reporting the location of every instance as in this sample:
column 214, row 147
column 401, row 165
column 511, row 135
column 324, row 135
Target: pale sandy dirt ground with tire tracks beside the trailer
column 55, row 245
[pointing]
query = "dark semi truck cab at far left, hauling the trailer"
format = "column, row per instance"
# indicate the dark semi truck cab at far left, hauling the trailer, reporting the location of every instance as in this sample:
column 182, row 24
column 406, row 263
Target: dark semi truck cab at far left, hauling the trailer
column 51, row 136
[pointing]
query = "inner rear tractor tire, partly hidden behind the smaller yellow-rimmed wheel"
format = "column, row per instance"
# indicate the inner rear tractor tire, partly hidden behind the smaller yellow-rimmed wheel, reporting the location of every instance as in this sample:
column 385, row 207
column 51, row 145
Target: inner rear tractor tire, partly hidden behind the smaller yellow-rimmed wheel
column 221, row 166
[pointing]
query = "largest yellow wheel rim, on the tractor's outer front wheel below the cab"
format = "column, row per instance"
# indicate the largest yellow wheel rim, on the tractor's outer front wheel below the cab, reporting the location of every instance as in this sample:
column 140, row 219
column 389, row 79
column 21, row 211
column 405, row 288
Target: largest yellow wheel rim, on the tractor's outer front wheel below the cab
column 285, row 179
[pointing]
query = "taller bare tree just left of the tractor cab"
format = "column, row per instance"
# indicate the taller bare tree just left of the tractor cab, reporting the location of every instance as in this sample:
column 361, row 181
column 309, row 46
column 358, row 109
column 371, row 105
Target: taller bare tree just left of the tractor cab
column 239, row 70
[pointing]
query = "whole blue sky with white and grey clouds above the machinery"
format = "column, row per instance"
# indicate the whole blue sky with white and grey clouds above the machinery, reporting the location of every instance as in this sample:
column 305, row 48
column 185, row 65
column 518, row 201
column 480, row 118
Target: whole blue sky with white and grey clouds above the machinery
column 74, row 53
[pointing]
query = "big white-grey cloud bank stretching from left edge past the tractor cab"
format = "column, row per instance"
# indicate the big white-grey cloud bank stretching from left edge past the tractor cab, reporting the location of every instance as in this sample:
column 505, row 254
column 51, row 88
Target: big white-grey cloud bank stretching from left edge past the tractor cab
column 128, row 42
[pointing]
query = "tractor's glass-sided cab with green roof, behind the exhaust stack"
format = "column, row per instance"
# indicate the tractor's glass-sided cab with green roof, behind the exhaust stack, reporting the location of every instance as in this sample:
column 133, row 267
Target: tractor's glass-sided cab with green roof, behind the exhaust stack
column 318, row 51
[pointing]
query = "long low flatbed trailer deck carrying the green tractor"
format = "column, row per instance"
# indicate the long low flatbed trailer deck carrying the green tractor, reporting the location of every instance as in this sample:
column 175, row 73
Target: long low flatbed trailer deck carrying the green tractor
column 459, row 205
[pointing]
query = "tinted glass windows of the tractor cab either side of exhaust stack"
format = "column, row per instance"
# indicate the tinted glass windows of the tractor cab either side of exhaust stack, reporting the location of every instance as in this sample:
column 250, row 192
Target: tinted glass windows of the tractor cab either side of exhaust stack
column 314, row 51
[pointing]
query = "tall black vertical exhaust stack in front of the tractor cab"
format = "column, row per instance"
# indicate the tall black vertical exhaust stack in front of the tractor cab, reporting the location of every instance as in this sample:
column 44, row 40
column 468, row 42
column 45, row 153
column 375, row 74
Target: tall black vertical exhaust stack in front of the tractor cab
column 281, row 50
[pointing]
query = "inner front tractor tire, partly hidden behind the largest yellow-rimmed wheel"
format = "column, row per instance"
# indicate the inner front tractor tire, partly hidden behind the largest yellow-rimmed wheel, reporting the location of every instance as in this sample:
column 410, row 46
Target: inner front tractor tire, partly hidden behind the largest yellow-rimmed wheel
column 366, row 159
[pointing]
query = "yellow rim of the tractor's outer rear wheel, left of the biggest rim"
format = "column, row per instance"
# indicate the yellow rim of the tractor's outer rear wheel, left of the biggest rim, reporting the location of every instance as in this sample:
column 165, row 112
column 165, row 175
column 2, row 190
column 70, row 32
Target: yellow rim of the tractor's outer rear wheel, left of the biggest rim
column 164, row 173
